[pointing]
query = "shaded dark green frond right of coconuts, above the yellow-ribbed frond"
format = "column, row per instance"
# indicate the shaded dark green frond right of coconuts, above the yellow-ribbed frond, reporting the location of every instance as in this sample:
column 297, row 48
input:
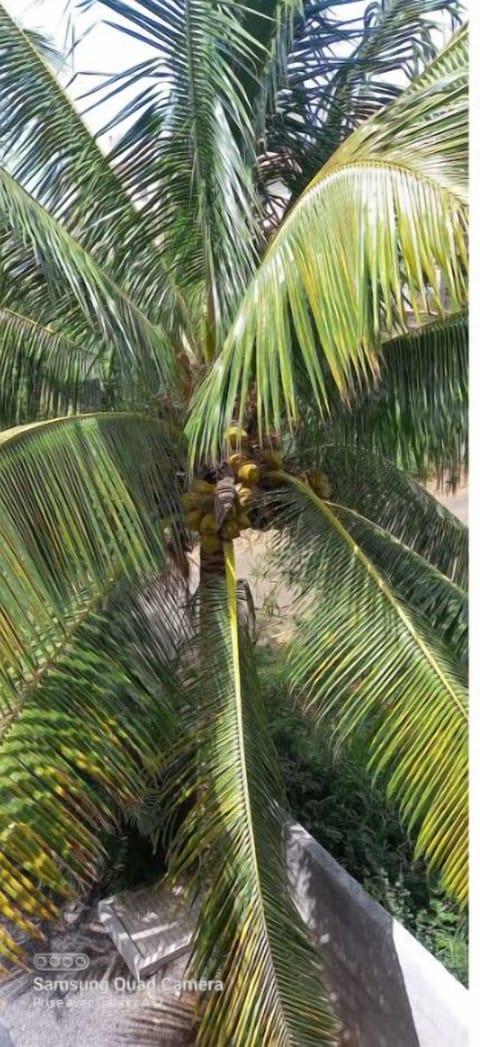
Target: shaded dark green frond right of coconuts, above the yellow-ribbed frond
column 377, row 489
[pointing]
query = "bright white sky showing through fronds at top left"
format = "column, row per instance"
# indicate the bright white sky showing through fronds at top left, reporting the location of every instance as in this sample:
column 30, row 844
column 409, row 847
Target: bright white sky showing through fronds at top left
column 100, row 51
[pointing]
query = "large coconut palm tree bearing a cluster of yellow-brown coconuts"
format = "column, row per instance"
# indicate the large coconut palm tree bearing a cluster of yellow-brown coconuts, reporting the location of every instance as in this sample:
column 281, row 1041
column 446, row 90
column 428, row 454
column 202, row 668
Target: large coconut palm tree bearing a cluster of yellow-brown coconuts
column 250, row 313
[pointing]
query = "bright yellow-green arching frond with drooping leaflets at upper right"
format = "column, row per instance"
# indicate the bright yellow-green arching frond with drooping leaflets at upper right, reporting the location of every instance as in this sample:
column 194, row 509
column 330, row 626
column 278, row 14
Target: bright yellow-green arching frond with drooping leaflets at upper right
column 376, row 238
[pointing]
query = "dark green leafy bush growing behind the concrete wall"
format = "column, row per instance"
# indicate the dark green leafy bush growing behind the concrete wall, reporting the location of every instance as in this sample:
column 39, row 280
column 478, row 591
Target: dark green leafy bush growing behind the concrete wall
column 335, row 799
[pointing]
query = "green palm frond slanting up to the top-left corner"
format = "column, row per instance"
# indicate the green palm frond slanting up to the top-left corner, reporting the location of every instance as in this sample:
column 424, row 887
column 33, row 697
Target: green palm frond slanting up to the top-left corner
column 48, row 148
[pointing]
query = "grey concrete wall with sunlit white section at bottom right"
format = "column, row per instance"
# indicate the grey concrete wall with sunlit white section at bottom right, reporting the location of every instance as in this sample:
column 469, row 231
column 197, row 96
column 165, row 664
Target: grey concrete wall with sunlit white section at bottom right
column 388, row 991
